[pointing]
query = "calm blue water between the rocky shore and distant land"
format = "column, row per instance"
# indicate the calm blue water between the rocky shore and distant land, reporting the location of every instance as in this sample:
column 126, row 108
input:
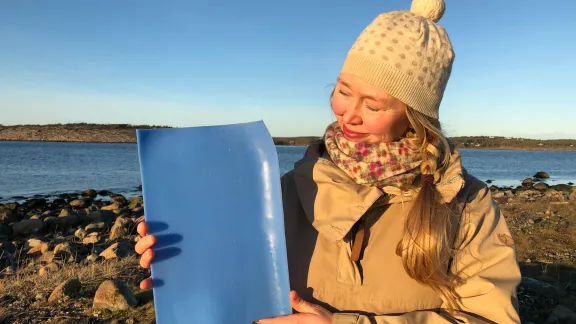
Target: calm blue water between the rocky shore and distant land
column 31, row 168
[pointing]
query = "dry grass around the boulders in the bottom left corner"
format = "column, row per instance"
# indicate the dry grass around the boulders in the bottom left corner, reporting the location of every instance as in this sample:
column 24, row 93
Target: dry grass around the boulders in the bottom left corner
column 23, row 297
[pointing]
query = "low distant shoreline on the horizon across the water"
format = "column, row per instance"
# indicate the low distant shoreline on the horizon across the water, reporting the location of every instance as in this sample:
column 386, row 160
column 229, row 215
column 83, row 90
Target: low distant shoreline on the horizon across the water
column 126, row 134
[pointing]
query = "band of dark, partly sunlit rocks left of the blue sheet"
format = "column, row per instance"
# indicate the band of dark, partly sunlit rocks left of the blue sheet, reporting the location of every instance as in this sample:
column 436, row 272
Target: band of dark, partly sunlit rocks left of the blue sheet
column 52, row 233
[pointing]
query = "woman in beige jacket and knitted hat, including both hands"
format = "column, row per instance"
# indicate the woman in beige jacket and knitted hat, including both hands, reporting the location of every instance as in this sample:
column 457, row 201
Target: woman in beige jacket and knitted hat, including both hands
column 383, row 224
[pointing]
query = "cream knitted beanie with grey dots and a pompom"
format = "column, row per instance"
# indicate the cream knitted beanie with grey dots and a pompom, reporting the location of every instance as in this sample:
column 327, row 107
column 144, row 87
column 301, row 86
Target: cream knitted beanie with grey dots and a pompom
column 406, row 54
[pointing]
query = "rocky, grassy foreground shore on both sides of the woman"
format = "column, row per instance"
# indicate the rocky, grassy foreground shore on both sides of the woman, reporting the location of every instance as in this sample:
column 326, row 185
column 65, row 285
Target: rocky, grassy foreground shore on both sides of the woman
column 71, row 259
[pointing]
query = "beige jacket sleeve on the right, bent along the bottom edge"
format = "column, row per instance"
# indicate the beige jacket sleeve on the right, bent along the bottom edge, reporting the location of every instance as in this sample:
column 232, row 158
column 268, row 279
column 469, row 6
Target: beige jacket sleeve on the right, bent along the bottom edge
column 487, row 256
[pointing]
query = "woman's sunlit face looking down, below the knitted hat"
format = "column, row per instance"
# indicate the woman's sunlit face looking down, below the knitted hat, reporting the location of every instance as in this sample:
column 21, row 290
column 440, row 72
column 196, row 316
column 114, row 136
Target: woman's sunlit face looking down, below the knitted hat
column 366, row 113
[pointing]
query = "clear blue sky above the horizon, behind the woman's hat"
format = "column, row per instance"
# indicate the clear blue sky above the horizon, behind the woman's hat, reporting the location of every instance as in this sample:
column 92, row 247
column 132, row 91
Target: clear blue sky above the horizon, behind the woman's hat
column 188, row 63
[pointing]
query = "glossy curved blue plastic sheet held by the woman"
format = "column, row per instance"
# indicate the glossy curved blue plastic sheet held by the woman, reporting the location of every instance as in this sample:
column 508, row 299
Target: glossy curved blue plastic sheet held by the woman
column 212, row 197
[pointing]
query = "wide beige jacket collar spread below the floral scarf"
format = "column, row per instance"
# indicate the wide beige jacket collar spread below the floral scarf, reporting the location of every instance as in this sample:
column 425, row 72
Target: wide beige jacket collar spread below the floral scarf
column 333, row 202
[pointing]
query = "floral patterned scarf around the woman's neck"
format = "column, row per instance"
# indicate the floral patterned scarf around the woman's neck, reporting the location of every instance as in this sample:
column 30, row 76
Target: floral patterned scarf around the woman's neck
column 374, row 164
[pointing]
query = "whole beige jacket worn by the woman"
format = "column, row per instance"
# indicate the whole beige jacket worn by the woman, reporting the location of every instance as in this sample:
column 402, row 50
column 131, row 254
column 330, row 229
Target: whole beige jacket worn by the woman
column 321, row 206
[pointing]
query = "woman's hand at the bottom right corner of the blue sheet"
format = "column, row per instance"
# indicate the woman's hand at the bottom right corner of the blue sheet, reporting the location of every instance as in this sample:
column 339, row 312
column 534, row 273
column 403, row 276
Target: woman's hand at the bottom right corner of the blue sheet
column 308, row 313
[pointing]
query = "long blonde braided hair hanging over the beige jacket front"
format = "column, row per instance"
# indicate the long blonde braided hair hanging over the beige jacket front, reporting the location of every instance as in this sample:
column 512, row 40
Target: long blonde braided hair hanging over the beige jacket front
column 427, row 244
